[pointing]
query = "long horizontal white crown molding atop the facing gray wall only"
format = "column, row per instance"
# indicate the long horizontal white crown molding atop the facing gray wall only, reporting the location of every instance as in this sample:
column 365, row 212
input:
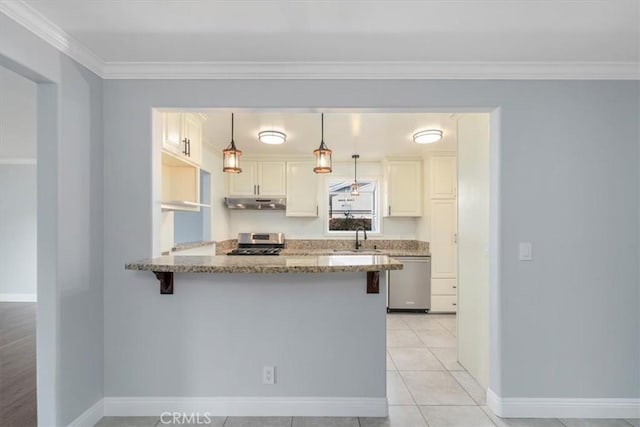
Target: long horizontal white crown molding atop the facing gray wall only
column 374, row 70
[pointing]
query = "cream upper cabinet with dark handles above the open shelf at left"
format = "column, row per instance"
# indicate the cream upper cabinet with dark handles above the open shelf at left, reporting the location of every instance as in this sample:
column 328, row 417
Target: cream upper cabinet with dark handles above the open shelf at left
column 182, row 136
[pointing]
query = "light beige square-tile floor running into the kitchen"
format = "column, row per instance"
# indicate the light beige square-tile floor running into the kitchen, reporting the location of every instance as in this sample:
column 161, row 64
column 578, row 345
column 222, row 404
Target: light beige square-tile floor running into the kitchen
column 426, row 387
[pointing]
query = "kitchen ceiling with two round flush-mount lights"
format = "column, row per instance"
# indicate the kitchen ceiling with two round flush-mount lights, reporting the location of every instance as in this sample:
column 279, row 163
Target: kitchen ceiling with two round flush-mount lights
column 372, row 135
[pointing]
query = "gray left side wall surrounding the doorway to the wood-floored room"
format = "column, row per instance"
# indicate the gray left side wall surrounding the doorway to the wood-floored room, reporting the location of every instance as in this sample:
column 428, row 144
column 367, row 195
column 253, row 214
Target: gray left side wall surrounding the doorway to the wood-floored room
column 70, row 225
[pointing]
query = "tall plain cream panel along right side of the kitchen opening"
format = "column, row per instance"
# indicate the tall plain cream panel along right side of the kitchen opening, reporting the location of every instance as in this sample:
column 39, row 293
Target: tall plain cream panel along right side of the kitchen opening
column 473, row 242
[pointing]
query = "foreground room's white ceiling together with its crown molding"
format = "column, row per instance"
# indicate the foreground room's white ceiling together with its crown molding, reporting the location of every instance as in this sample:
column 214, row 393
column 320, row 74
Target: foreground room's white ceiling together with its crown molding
column 507, row 33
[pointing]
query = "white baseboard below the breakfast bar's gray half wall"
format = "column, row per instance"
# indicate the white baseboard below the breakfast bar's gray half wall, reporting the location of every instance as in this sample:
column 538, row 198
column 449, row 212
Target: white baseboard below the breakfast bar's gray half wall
column 248, row 406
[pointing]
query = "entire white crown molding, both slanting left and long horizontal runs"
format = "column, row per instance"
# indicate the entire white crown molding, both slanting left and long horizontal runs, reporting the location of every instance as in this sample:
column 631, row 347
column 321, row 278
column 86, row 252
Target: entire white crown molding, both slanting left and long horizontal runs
column 39, row 25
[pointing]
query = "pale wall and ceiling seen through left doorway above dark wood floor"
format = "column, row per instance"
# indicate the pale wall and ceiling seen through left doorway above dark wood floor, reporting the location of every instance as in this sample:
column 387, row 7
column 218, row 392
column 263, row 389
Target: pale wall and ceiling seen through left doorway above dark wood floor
column 18, row 218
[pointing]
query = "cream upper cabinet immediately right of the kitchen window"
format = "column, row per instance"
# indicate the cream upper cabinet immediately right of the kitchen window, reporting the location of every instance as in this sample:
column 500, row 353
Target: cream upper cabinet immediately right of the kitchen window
column 403, row 188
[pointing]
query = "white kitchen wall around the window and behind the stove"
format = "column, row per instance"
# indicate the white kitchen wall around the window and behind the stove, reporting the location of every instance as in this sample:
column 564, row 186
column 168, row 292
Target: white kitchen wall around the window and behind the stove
column 314, row 228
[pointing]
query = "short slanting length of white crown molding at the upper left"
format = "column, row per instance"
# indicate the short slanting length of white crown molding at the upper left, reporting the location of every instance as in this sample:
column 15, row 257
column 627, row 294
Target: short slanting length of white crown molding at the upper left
column 42, row 27
